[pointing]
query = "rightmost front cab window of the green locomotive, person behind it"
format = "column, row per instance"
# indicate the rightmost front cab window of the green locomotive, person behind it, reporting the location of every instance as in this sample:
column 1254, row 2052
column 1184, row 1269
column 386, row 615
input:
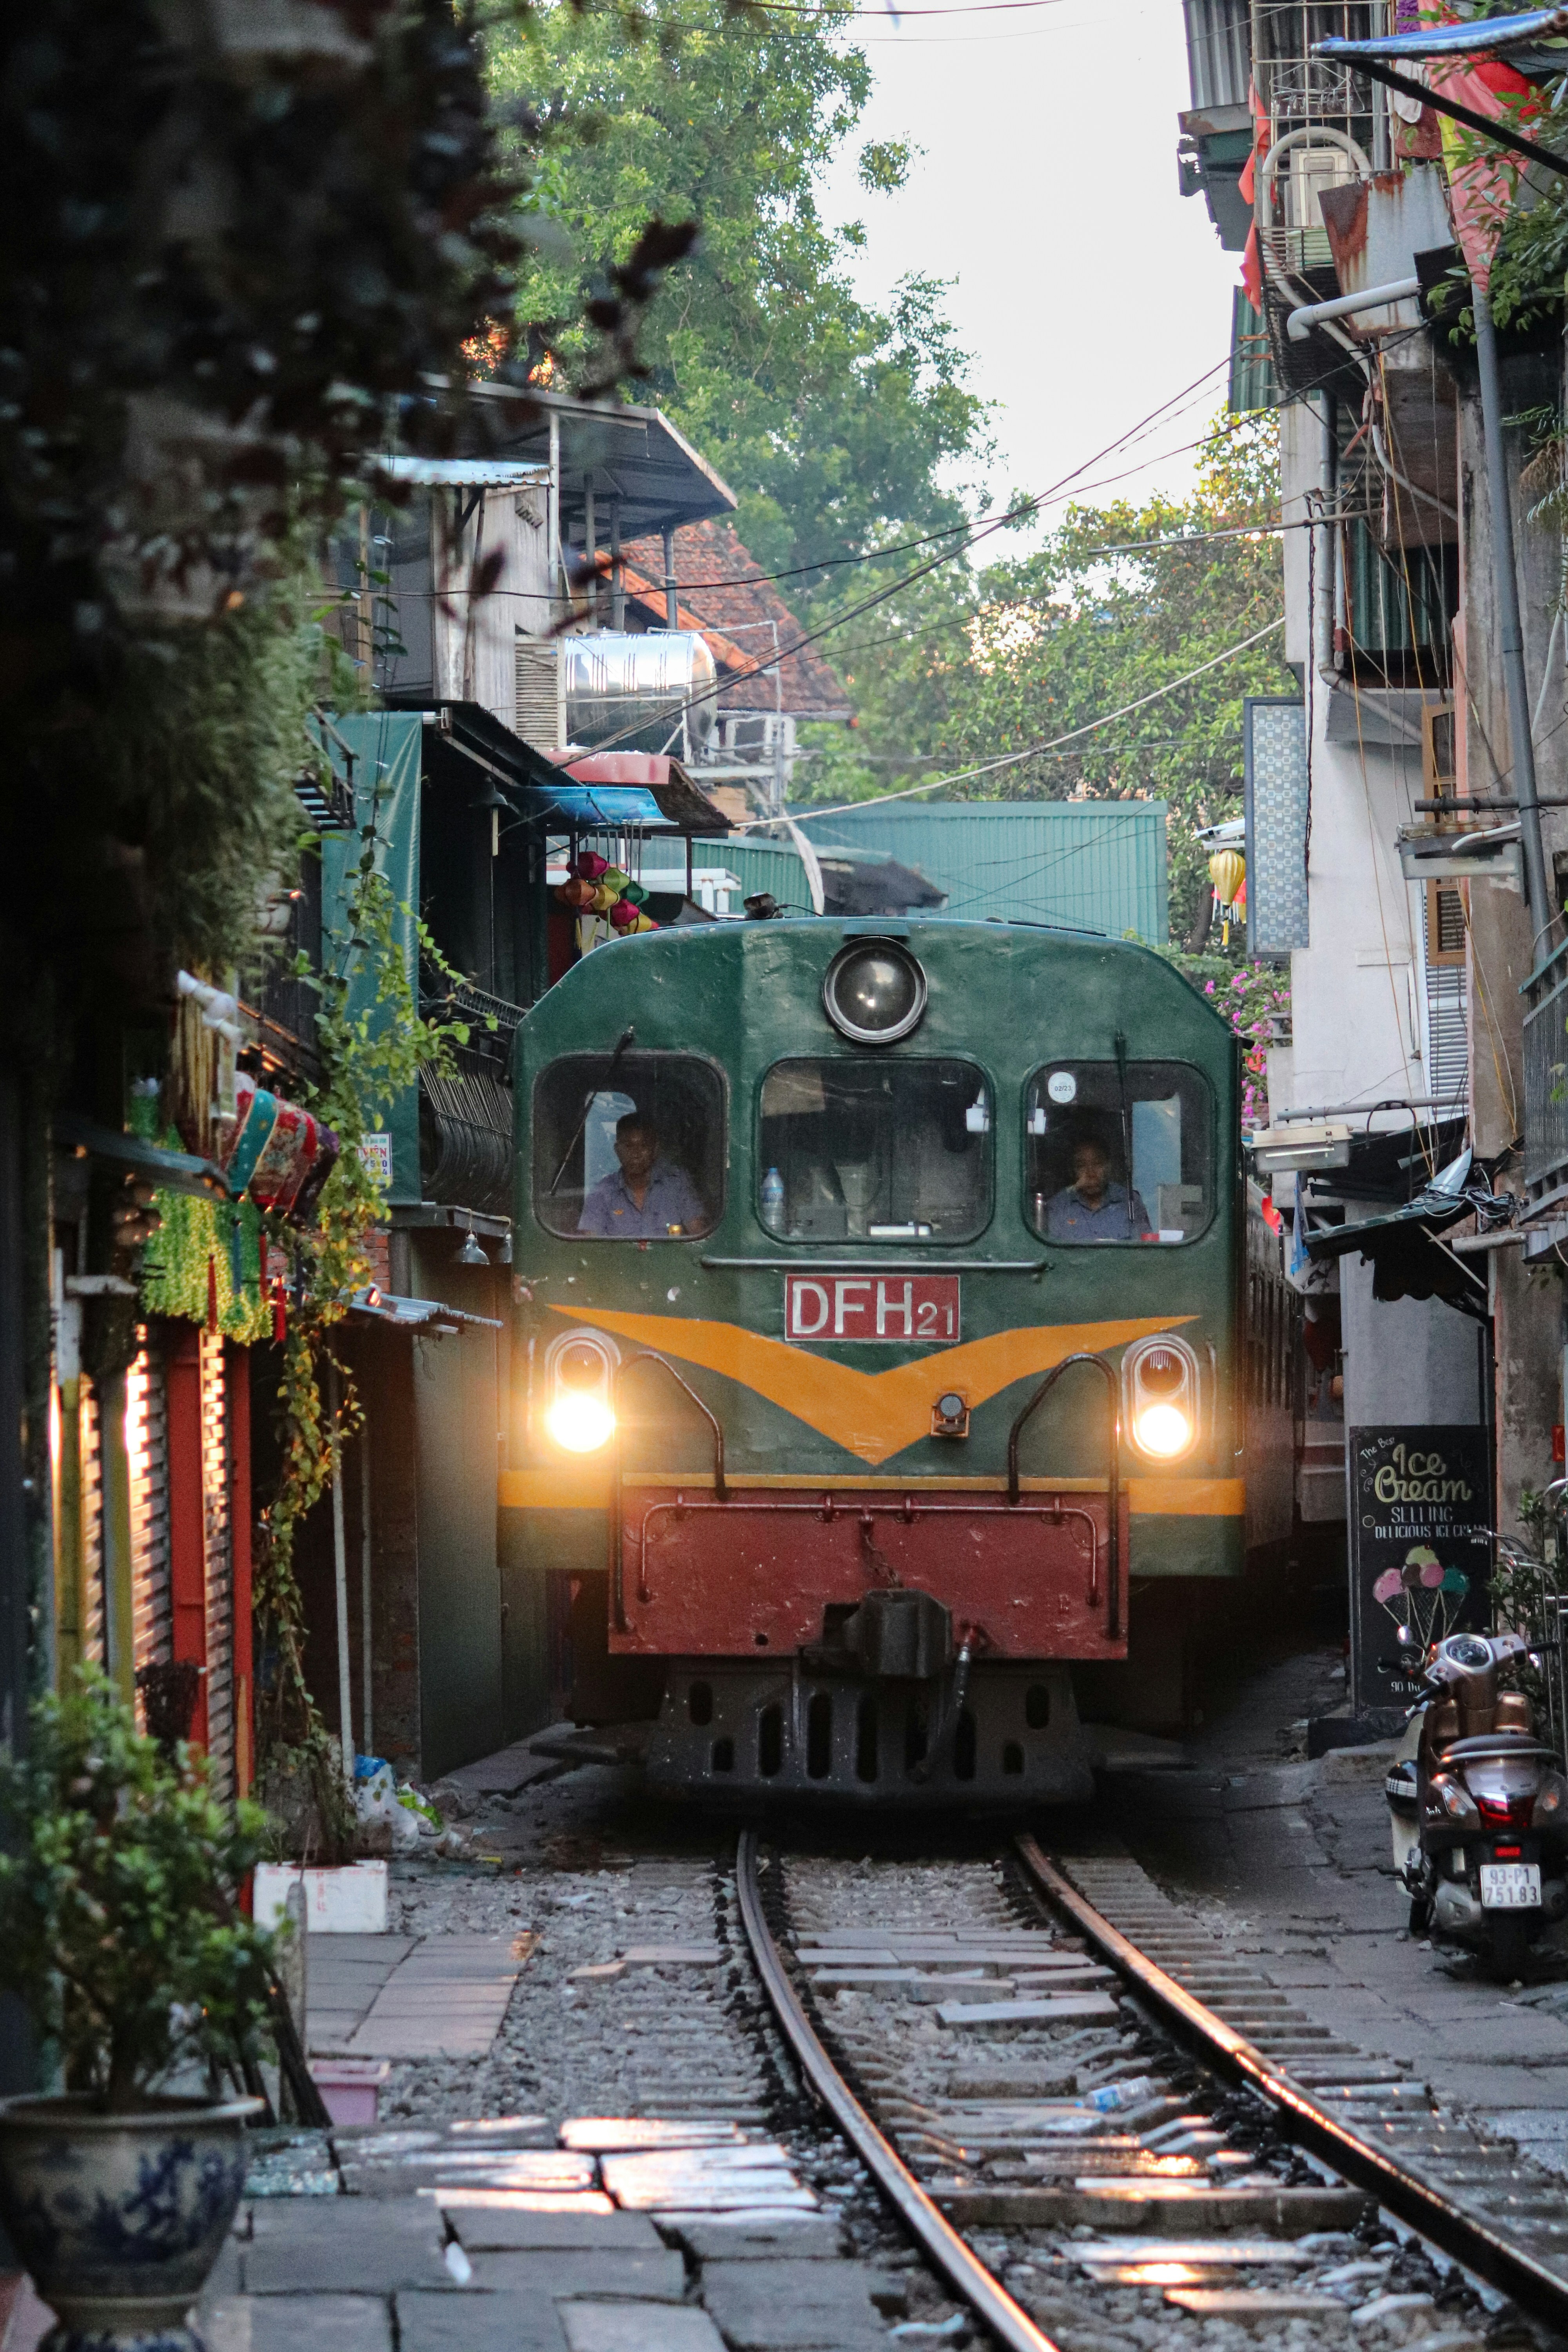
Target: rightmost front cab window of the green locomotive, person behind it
column 1118, row 1154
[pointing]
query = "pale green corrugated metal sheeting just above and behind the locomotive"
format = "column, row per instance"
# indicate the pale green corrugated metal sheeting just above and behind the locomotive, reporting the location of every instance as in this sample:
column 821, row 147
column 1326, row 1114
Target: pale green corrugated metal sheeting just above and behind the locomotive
column 1097, row 867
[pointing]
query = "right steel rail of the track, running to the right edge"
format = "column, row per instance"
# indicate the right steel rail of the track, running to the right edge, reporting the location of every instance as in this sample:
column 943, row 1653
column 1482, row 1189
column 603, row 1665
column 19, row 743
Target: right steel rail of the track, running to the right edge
column 1449, row 2226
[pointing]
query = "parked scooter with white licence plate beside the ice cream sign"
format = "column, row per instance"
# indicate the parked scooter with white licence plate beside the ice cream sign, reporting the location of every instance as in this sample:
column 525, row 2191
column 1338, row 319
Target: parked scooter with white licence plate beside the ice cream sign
column 1480, row 1808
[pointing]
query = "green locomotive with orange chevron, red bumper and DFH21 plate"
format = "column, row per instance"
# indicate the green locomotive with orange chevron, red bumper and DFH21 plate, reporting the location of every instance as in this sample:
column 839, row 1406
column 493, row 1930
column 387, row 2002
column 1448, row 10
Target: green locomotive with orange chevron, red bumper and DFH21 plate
column 880, row 1309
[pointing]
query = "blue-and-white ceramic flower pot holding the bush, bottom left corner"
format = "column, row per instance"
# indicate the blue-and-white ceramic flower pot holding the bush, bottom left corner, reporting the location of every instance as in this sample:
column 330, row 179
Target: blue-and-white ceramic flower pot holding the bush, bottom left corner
column 121, row 2217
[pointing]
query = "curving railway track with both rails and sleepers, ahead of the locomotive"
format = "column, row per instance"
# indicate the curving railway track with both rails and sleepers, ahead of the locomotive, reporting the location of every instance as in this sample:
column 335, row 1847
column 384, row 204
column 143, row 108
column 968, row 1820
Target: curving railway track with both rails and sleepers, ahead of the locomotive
column 1092, row 2116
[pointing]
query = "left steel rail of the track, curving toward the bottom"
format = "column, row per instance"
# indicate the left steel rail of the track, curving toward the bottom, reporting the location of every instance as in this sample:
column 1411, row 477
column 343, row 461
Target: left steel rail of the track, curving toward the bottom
column 927, row 2224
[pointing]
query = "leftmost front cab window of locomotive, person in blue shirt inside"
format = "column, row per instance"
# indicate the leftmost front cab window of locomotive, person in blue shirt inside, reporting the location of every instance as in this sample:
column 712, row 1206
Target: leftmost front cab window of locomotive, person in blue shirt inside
column 629, row 1149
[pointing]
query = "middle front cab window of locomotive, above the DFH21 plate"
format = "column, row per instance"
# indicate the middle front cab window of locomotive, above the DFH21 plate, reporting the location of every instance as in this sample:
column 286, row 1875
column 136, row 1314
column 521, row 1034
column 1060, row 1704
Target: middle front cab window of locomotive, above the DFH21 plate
column 890, row 1151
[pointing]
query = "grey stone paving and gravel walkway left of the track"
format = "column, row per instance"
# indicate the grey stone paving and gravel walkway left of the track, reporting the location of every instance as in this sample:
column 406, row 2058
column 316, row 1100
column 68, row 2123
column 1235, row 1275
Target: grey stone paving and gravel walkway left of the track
column 516, row 2196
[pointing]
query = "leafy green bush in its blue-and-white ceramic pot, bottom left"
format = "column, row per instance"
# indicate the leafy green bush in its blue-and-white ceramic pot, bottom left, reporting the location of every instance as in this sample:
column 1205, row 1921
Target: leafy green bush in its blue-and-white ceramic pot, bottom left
column 121, row 1935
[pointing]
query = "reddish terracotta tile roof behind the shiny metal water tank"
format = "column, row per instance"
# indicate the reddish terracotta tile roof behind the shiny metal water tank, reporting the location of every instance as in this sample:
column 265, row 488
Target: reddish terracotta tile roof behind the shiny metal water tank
column 737, row 620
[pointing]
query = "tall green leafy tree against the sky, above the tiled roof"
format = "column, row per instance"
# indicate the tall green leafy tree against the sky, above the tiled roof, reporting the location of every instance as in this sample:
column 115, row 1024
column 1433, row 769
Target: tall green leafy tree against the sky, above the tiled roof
column 836, row 422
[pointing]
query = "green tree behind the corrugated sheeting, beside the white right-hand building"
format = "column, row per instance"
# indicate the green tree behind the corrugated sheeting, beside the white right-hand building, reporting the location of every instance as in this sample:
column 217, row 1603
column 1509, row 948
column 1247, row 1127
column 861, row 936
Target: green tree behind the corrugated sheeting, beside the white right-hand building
column 972, row 669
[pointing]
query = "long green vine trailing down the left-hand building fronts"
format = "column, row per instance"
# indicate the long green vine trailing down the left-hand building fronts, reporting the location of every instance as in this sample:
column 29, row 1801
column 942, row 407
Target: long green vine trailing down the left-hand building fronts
column 373, row 1043
